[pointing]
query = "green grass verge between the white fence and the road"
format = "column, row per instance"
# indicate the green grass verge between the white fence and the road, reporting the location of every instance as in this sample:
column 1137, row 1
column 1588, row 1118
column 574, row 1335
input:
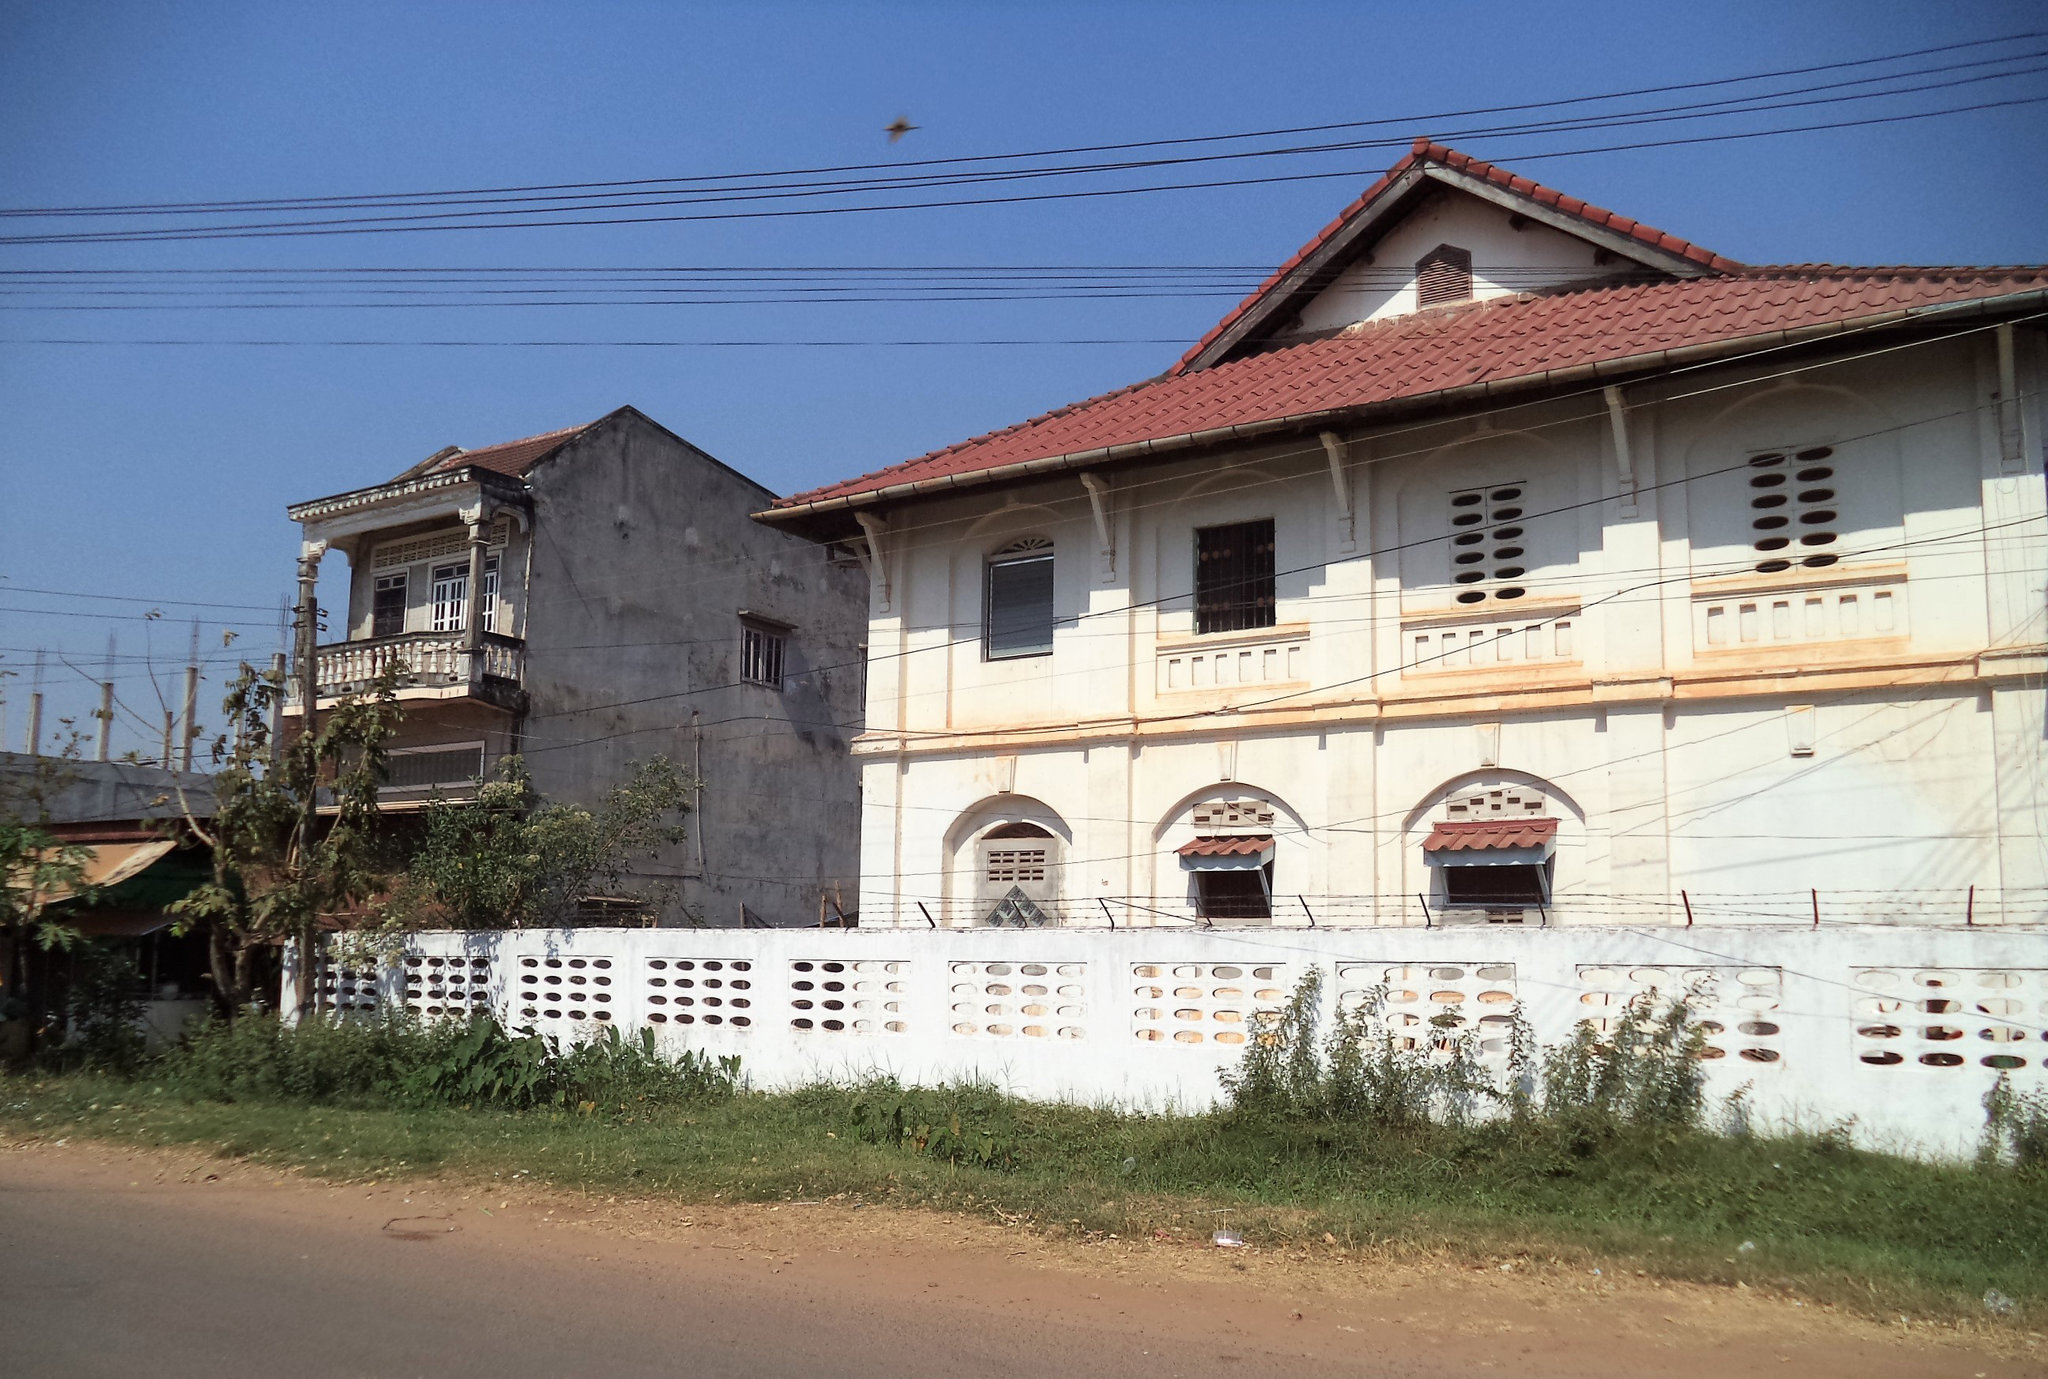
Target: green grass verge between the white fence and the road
column 1822, row 1220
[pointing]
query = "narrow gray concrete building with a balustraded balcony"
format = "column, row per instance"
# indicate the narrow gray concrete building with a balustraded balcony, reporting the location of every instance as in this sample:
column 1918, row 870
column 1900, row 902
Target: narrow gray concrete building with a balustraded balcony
column 597, row 597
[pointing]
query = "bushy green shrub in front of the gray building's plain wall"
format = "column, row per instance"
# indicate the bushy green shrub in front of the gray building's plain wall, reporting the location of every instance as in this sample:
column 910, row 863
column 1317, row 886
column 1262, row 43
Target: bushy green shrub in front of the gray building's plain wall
column 507, row 860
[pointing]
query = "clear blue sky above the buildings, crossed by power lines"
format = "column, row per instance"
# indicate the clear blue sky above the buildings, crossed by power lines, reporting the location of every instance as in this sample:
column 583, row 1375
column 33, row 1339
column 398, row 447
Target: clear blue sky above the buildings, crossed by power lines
column 163, row 472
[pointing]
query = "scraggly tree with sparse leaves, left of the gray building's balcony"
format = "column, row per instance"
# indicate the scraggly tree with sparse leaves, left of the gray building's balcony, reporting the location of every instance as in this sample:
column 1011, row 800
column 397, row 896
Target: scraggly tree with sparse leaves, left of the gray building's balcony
column 294, row 831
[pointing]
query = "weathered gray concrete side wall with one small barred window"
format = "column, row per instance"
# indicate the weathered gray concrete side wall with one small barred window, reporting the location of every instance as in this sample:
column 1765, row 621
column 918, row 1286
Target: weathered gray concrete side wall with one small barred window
column 644, row 558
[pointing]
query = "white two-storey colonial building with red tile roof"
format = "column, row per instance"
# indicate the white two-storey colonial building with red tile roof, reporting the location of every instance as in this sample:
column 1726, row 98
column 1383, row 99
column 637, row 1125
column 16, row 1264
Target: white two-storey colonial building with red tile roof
column 1500, row 560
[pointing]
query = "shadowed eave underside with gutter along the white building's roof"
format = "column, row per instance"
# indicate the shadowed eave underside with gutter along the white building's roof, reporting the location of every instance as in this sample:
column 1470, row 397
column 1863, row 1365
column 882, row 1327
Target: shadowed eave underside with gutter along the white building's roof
column 830, row 519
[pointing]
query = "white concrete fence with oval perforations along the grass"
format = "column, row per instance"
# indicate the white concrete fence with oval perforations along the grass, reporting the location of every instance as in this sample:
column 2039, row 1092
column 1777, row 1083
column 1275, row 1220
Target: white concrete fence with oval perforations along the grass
column 1900, row 1030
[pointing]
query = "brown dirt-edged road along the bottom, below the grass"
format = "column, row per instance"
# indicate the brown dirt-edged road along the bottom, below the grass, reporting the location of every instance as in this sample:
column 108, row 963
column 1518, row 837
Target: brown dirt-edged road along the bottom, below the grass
column 151, row 1263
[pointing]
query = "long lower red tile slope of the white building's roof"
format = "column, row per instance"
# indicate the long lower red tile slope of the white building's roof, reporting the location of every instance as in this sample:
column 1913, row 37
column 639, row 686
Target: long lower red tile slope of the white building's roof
column 1465, row 351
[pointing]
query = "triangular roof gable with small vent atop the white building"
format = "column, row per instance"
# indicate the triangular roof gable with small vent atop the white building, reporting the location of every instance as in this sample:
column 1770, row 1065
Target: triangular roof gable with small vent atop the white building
column 1523, row 222
